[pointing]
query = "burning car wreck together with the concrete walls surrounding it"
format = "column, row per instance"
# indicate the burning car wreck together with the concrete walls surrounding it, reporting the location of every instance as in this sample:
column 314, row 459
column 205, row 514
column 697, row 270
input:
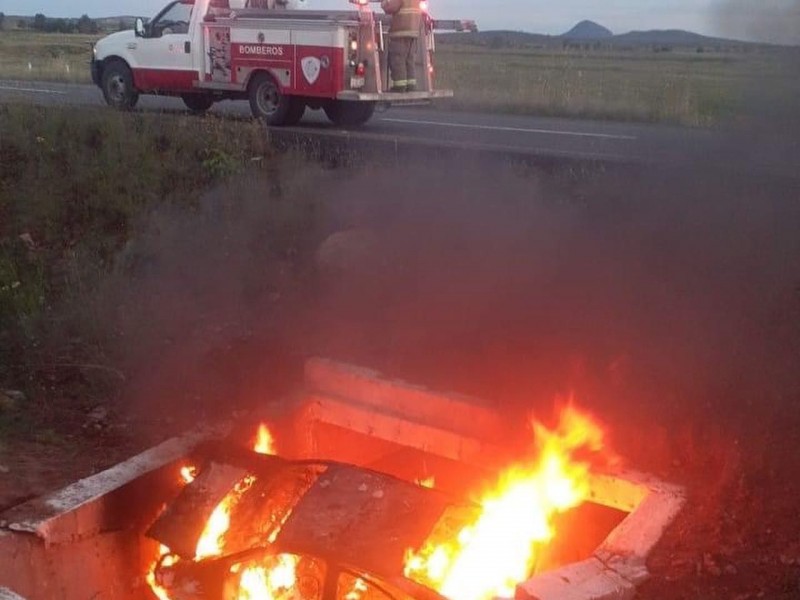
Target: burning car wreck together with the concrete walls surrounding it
column 367, row 489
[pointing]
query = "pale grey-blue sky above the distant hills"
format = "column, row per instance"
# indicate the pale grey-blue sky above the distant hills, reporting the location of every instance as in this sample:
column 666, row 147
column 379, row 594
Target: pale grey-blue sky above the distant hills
column 539, row 16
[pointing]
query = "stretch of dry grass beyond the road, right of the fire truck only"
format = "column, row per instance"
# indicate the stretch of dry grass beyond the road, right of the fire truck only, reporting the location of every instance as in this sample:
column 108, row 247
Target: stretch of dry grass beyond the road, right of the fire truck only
column 686, row 88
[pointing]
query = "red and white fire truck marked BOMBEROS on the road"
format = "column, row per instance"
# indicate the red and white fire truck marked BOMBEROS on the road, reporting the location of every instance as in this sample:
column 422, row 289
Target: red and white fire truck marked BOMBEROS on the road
column 280, row 56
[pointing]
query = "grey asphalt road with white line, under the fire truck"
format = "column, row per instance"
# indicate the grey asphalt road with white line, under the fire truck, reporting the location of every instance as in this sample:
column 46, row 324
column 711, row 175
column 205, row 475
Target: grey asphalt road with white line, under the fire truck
column 544, row 137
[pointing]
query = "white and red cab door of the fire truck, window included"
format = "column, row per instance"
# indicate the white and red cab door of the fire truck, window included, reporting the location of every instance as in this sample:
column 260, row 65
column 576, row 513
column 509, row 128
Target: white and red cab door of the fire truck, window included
column 164, row 55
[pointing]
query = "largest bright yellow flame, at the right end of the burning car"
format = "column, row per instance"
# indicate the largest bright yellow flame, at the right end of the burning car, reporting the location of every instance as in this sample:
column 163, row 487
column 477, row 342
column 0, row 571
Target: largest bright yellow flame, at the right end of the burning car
column 489, row 557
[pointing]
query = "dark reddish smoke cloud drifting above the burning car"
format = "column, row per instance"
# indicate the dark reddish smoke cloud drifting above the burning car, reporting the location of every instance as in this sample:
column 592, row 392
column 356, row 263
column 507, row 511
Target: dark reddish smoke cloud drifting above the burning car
column 653, row 296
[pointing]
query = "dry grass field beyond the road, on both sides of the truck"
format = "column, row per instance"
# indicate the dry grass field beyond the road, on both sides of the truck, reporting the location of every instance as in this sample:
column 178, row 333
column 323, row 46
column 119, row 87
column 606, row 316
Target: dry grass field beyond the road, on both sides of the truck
column 682, row 87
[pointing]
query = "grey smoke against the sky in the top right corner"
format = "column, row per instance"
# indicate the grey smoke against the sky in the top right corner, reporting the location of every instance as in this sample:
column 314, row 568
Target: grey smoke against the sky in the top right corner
column 771, row 21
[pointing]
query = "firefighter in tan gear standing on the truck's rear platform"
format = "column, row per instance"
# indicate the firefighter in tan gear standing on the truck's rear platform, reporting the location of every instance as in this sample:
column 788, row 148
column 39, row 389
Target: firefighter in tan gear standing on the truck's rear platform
column 403, row 39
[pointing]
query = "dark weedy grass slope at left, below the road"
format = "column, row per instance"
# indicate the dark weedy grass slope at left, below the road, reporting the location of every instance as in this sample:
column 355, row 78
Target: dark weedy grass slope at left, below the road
column 74, row 184
